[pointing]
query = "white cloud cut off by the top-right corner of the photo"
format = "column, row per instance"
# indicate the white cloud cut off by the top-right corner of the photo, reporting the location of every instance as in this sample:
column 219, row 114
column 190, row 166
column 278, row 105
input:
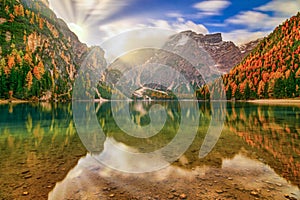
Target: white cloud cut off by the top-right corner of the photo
column 286, row 8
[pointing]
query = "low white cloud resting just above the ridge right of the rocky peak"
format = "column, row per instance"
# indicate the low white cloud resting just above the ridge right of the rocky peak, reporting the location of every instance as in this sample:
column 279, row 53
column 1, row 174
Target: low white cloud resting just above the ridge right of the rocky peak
column 243, row 36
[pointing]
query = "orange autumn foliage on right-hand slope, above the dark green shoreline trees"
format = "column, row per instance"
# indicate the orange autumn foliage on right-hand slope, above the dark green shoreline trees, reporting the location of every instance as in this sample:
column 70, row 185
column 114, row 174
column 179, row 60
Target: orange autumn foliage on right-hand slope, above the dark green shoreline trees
column 277, row 56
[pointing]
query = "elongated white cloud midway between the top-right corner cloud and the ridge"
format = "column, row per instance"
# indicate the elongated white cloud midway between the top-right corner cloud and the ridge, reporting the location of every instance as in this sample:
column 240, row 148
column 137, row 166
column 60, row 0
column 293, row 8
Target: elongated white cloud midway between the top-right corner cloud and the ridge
column 255, row 20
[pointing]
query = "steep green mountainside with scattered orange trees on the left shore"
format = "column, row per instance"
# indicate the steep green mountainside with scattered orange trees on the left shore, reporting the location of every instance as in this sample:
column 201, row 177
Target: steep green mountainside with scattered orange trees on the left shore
column 39, row 55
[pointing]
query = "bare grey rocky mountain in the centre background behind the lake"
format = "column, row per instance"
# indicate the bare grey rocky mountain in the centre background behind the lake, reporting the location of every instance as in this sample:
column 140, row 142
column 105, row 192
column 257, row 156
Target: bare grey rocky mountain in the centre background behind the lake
column 198, row 58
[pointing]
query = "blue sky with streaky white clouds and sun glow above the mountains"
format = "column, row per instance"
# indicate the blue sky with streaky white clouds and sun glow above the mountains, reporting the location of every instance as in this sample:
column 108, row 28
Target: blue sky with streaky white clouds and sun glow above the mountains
column 95, row 21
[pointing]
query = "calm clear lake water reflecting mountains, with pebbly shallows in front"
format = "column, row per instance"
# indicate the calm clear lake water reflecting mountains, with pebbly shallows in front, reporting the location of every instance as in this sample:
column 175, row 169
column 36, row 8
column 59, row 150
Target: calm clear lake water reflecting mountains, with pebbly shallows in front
column 257, row 154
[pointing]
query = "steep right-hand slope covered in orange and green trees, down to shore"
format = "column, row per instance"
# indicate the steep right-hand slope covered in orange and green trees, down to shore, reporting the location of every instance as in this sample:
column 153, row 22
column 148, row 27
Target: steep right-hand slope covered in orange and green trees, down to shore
column 271, row 70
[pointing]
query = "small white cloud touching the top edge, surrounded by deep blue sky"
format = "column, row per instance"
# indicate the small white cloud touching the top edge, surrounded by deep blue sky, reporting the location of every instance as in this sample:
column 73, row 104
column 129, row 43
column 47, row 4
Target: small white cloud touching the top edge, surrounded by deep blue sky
column 212, row 7
